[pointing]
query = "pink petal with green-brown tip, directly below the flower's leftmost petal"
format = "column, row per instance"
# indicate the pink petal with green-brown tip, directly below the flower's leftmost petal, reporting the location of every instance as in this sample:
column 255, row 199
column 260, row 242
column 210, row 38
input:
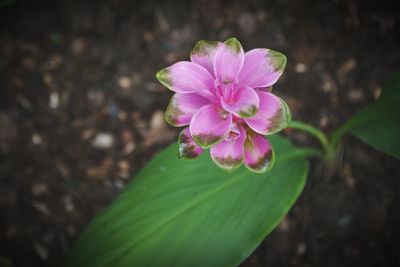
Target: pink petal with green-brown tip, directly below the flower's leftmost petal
column 182, row 107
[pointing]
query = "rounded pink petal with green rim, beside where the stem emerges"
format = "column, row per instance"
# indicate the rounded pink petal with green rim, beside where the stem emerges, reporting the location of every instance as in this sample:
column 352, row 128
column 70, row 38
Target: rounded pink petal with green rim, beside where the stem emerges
column 273, row 115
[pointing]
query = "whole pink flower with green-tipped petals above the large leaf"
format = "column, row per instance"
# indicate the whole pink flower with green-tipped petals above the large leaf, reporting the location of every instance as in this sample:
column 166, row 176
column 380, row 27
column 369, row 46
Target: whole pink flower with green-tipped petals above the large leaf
column 223, row 96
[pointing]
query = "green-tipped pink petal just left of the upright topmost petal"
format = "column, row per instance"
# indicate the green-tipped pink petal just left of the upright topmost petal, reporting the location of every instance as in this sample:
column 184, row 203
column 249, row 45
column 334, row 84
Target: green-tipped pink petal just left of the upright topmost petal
column 203, row 54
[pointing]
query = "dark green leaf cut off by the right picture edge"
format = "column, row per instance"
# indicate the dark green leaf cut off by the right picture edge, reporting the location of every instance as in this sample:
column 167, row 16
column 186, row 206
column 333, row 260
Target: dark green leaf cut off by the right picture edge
column 378, row 124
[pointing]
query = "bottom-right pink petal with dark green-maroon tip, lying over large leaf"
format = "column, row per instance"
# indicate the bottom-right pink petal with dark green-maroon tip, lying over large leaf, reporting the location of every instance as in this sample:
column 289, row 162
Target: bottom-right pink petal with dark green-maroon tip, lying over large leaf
column 258, row 153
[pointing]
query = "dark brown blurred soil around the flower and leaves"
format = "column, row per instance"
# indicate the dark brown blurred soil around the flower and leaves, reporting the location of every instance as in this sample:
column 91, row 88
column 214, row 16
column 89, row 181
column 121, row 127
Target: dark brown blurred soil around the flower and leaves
column 81, row 113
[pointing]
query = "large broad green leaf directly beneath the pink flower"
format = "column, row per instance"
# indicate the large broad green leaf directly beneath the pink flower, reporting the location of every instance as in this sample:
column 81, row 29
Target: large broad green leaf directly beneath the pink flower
column 190, row 213
